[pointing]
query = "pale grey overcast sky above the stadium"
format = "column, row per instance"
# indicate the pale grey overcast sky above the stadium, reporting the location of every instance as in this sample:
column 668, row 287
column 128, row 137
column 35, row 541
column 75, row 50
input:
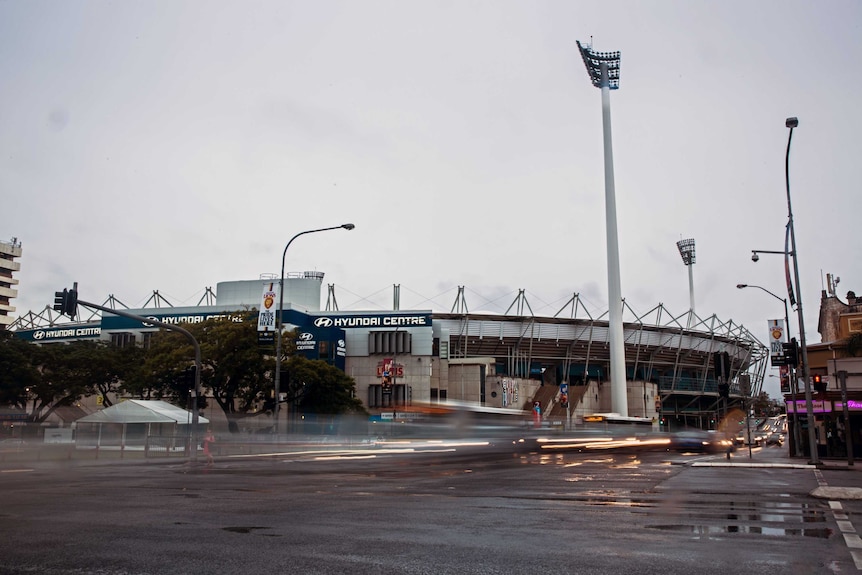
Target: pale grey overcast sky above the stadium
column 173, row 145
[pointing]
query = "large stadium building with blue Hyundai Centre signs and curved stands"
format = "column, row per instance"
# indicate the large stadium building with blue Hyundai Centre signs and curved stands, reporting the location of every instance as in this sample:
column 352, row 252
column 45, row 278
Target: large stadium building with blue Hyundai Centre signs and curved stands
column 559, row 363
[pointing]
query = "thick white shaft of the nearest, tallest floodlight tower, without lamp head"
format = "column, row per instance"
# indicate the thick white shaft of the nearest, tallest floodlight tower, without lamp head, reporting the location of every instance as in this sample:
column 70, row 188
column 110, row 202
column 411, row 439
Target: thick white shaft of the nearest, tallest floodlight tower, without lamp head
column 619, row 399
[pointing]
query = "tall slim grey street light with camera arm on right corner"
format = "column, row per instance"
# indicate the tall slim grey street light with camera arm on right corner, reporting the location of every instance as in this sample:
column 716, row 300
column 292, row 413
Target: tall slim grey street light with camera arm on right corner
column 790, row 250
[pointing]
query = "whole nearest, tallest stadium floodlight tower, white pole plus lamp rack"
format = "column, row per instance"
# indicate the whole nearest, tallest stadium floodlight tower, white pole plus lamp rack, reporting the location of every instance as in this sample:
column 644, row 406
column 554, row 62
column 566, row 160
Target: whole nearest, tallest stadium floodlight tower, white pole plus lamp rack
column 604, row 71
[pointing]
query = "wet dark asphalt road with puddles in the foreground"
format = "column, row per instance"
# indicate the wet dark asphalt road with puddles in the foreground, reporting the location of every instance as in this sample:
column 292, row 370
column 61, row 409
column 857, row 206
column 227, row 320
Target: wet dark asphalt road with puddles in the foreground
column 438, row 509
